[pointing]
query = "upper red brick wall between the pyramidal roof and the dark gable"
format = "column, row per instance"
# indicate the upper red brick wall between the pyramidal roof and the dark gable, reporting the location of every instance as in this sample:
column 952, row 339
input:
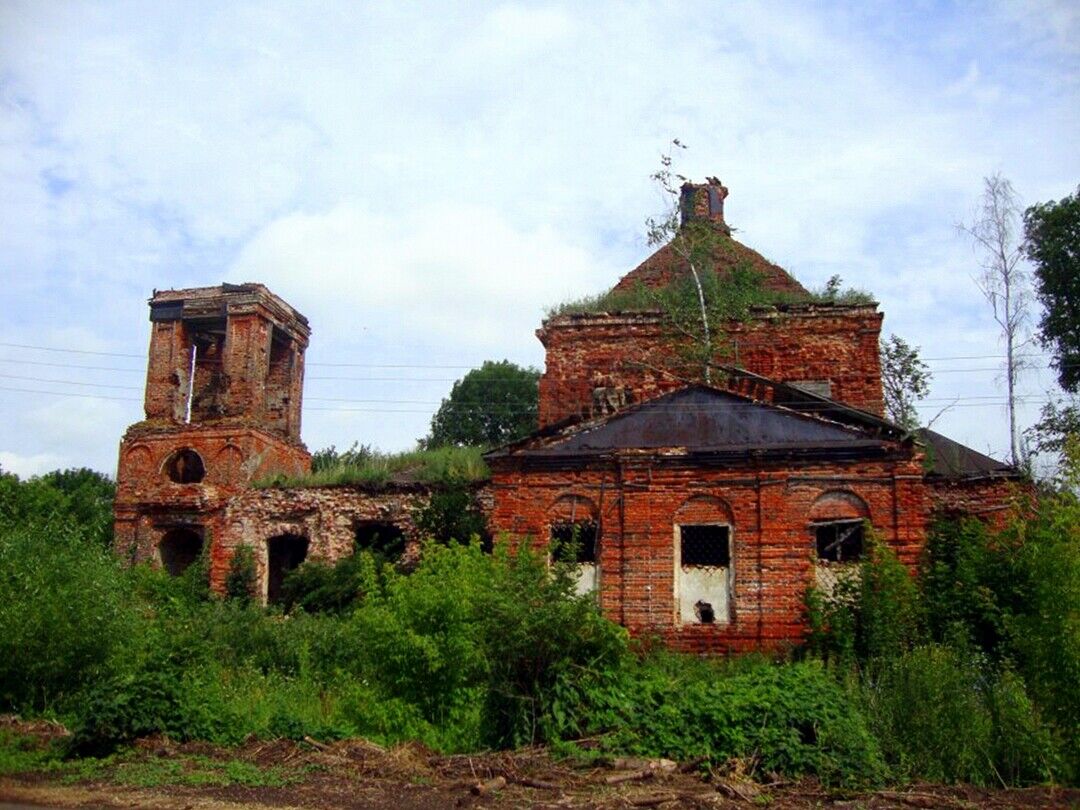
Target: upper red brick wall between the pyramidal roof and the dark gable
column 636, row 354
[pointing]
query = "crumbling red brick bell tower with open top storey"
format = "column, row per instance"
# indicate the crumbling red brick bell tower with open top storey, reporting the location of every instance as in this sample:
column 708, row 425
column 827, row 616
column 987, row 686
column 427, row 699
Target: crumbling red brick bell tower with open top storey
column 224, row 389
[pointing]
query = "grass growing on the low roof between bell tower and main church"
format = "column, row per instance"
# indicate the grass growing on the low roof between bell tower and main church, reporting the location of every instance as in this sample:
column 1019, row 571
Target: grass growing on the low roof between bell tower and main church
column 364, row 466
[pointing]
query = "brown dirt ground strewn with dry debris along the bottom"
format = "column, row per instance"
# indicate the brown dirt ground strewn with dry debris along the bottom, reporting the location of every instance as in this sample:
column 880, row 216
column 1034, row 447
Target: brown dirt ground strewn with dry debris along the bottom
column 356, row 774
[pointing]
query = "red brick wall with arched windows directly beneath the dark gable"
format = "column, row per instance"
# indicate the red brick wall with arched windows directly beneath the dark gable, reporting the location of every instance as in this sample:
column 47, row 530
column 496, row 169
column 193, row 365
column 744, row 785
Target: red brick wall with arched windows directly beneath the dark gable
column 773, row 542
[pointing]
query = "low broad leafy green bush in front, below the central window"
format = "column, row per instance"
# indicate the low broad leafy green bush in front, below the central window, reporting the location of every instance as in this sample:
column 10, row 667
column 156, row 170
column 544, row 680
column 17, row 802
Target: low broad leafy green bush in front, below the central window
column 789, row 719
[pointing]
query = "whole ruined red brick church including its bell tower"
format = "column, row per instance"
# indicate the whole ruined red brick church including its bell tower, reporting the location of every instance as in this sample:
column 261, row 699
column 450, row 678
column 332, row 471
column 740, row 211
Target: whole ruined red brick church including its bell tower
column 698, row 514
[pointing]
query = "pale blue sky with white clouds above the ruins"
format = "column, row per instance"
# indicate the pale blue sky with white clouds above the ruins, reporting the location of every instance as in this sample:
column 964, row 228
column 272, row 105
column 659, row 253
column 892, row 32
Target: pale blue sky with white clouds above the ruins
column 422, row 180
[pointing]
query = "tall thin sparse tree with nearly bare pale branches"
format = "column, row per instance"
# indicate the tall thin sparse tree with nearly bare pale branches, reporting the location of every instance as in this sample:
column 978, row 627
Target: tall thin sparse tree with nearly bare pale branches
column 1004, row 282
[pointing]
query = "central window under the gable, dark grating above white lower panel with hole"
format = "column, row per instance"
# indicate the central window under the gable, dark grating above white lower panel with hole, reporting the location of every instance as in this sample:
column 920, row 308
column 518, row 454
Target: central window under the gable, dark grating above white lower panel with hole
column 704, row 582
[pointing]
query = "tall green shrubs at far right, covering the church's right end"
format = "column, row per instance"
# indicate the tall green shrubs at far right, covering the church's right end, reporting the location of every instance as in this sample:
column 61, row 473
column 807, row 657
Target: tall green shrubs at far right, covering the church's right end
column 975, row 676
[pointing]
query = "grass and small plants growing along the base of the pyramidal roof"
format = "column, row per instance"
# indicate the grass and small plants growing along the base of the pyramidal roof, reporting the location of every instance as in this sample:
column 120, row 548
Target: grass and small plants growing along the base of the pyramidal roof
column 738, row 291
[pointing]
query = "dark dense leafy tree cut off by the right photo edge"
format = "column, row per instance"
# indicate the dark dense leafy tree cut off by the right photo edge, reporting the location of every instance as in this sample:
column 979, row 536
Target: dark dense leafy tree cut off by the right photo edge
column 1052, row 244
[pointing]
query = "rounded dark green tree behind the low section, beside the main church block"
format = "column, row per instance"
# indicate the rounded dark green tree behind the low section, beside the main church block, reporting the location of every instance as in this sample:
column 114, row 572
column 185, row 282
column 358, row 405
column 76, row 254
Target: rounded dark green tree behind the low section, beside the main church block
column 491, row 406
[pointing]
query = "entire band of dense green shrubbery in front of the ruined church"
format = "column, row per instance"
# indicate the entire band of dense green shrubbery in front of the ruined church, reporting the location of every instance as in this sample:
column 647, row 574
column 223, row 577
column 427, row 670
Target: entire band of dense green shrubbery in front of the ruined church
column 969, row 672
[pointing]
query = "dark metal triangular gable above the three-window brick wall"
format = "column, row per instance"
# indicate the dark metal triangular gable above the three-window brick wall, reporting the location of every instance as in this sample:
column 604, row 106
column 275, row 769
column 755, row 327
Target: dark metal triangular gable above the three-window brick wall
column 703, row 423
